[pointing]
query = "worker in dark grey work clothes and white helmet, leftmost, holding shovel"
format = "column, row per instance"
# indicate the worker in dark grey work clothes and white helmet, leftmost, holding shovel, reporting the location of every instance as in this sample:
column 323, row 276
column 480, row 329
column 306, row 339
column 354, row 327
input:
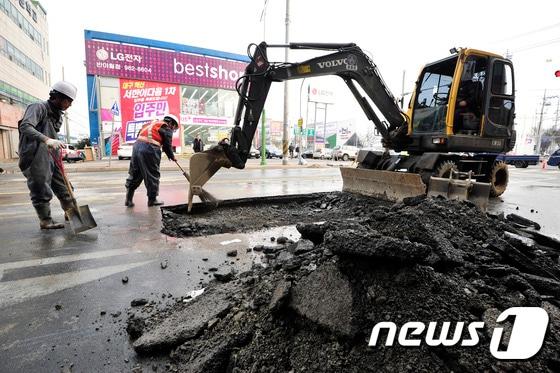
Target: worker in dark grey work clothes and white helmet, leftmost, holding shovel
column 38, row 144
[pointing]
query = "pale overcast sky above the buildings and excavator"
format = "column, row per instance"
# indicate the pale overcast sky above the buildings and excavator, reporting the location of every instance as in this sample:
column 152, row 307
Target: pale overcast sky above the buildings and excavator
column 399, row 35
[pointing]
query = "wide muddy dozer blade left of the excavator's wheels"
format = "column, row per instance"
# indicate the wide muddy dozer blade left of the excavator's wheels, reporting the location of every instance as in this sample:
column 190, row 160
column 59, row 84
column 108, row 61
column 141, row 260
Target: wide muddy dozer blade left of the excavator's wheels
column 387, row 185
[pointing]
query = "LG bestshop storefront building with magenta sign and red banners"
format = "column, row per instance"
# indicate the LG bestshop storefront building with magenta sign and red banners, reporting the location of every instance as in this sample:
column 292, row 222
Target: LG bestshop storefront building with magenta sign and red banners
column 132, row 81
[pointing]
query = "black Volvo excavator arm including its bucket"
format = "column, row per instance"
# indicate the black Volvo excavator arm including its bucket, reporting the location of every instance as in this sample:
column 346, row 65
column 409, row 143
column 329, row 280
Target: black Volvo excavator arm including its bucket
column 348, row 62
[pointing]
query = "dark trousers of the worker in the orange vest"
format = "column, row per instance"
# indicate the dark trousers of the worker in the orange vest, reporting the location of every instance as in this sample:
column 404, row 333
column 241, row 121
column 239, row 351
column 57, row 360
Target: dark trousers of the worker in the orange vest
column 144, row 166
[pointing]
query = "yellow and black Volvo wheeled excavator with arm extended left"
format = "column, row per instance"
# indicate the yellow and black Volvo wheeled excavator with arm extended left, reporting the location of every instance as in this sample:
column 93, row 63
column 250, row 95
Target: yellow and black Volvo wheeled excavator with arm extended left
column 460, row 116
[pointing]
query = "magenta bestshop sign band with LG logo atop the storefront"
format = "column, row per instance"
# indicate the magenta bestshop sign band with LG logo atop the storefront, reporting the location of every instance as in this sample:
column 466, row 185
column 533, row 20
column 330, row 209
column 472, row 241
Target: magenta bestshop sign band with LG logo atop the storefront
column 133, row 62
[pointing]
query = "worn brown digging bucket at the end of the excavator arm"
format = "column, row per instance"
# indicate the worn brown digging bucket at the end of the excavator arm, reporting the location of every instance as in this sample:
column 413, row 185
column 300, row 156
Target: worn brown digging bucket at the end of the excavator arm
column 202, row 167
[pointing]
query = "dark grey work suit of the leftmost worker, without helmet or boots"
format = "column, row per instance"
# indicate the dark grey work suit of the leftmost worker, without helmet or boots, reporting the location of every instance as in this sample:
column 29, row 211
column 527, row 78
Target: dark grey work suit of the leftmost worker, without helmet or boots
column 40, row 121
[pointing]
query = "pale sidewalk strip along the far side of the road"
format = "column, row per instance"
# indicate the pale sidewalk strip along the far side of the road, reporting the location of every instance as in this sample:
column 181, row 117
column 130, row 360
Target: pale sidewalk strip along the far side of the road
column 11, row 167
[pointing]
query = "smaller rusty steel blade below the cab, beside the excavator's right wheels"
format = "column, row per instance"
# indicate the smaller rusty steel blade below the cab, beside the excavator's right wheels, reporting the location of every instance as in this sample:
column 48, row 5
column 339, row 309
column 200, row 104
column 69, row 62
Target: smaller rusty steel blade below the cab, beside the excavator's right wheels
column 476, row 192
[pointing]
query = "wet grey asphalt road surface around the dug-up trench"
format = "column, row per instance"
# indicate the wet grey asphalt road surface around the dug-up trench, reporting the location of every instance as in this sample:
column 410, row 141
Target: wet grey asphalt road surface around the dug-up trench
column 63, row 304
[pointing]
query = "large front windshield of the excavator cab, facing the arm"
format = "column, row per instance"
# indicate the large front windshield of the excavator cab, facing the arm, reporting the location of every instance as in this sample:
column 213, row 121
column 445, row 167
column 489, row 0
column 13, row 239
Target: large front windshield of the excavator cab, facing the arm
column 430, row 107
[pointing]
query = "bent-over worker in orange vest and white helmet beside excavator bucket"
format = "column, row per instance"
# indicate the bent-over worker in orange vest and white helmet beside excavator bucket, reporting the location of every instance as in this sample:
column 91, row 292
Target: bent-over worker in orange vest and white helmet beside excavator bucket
column 146, row 158
